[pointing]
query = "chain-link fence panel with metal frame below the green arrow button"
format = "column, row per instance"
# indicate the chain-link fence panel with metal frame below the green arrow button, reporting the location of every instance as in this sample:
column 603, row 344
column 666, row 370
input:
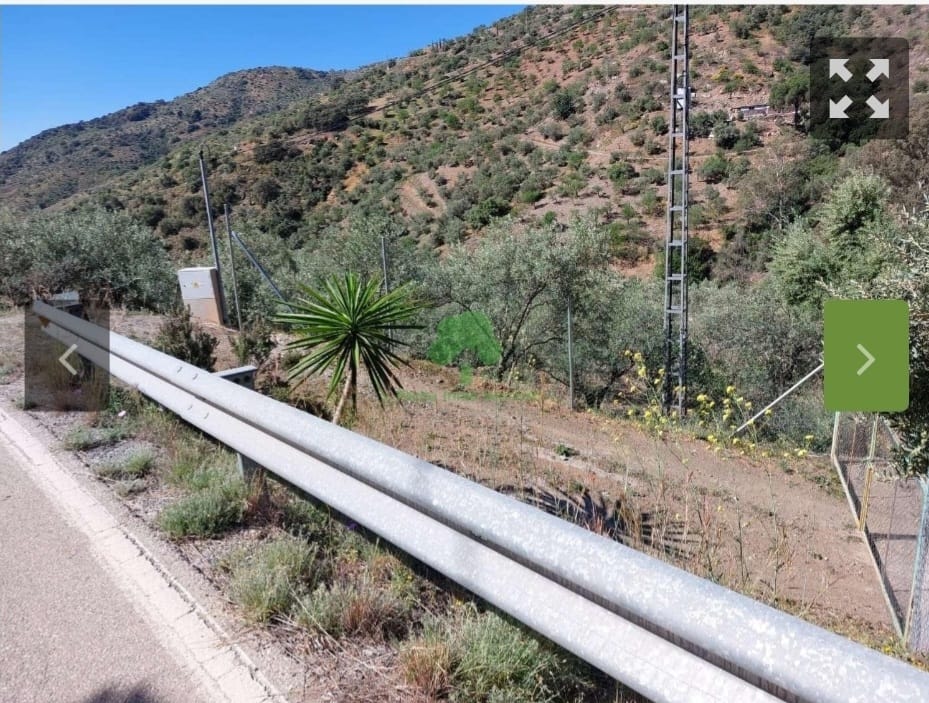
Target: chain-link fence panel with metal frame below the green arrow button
column 893, row 515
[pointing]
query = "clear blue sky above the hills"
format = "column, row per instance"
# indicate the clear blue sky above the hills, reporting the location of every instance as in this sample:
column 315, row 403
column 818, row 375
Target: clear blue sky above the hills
column 62, row 64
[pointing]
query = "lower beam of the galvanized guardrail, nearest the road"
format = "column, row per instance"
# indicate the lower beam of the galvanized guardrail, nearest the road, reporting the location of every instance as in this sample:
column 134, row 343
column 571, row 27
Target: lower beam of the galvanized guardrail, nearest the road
column 646, row 662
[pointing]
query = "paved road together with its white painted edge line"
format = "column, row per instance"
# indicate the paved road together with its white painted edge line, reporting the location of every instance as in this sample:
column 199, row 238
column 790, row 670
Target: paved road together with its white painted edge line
column 85, row 617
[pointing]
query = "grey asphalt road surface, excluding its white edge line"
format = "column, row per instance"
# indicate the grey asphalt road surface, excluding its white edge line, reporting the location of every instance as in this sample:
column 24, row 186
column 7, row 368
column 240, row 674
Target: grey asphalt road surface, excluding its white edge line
column 68, row 631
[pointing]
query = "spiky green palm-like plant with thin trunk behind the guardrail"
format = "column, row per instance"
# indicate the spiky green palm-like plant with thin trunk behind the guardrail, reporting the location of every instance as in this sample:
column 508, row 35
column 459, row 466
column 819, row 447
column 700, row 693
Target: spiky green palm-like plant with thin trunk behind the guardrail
column 346, row 325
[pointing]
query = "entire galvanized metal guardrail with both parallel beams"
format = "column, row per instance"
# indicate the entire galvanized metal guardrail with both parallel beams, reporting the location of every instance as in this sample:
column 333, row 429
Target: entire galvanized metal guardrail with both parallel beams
column 663, row 632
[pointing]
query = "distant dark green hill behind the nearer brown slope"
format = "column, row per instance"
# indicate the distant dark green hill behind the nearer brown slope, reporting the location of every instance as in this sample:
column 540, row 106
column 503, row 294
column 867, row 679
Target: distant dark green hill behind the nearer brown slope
column 77, row 158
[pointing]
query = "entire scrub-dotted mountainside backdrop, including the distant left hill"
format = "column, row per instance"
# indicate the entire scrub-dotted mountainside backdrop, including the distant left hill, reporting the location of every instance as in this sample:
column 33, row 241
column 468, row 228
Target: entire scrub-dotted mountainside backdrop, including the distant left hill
column 551, row 112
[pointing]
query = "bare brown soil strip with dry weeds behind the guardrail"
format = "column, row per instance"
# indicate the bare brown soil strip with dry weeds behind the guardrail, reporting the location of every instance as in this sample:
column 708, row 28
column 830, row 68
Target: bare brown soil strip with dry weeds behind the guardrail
column 776, row 528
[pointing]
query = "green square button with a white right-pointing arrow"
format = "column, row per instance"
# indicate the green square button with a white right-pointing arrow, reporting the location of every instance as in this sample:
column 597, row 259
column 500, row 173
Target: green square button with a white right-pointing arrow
column 867, row 358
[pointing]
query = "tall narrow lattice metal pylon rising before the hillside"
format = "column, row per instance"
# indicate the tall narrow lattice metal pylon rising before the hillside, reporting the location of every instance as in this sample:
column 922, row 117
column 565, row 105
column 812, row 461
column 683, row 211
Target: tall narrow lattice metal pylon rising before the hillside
column 675, row 299
